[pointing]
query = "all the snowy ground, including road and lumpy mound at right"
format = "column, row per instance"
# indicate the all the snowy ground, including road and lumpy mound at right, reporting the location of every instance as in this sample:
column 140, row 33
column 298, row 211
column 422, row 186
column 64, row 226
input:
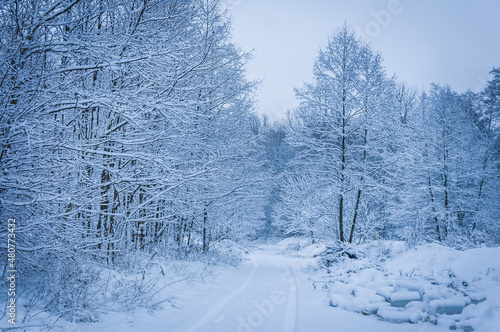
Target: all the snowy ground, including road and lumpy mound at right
column 281, row 287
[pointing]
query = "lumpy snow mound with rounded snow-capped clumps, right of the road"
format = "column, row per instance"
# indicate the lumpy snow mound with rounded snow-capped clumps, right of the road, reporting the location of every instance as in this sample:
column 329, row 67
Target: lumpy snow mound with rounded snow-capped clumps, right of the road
column 431, row 283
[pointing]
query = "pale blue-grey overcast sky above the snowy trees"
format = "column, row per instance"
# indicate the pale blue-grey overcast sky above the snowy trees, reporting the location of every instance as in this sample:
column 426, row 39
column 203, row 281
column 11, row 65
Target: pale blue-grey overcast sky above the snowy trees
column 421, row 41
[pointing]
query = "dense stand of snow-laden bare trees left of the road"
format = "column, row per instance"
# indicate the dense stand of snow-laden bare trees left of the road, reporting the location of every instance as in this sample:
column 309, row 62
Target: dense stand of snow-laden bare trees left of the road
column 125, row 126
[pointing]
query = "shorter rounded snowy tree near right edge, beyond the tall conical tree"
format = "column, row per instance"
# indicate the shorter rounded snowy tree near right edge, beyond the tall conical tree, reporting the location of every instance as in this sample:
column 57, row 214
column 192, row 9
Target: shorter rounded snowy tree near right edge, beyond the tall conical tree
column 442, row 168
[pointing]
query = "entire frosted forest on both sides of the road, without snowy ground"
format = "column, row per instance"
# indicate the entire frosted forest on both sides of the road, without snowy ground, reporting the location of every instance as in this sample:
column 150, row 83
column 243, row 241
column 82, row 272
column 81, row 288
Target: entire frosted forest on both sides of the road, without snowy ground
column 128, row 129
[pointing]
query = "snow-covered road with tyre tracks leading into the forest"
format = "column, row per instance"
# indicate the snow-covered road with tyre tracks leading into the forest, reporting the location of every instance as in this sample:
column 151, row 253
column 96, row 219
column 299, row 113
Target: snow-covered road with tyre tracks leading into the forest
column 271, row 293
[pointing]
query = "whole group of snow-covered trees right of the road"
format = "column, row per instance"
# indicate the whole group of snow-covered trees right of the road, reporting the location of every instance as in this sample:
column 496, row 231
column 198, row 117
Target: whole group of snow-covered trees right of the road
column 372, row 158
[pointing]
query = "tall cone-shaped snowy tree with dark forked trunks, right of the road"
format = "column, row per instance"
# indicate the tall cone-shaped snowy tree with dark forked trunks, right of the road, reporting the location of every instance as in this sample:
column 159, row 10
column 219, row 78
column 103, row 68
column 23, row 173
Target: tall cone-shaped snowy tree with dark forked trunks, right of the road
column 343, row 134
